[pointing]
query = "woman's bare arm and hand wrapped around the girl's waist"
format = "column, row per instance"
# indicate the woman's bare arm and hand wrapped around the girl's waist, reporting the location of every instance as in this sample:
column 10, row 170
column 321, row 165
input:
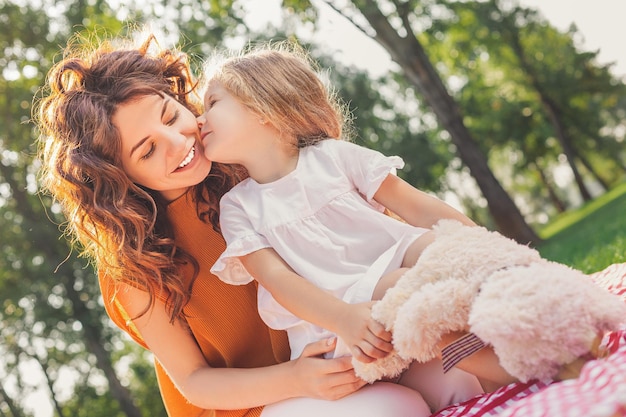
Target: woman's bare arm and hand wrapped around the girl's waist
column 234, row 388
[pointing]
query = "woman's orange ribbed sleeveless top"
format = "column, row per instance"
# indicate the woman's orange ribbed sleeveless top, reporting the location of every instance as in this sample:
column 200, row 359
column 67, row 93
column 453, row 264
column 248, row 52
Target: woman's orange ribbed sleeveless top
column 223, row 318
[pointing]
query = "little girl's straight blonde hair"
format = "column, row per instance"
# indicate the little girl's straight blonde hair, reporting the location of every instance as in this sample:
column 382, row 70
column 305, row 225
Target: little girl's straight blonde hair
column 281, row 83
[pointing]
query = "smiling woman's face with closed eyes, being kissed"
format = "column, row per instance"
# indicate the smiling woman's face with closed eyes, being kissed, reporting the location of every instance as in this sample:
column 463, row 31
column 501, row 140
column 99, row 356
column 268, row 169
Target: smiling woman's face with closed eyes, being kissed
column 161, row 147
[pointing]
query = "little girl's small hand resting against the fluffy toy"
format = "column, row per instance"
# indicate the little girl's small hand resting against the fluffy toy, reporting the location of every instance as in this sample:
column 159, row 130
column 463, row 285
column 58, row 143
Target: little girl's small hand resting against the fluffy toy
column 365, row 337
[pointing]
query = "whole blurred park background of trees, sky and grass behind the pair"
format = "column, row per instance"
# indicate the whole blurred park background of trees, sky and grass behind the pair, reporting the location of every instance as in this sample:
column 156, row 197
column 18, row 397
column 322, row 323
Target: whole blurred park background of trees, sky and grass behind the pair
column 495, row 109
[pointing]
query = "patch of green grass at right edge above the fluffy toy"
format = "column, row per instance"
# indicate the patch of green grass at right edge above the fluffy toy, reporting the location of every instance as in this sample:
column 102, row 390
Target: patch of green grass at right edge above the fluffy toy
column 591, row 237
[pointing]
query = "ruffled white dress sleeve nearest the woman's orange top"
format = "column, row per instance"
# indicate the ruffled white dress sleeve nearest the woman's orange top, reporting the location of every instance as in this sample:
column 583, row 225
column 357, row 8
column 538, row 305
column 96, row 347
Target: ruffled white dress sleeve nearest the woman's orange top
column 241, row 239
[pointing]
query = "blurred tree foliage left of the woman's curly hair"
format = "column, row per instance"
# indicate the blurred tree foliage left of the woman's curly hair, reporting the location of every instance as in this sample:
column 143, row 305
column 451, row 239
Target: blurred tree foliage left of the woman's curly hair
column 53, row 333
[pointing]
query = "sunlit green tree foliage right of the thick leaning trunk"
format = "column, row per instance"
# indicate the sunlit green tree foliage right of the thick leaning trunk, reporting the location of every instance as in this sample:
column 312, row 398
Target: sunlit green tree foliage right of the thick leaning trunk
column 528, row 92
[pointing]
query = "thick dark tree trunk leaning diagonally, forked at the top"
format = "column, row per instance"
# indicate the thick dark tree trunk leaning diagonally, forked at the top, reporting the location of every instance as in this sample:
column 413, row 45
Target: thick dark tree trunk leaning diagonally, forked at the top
column 398, row 27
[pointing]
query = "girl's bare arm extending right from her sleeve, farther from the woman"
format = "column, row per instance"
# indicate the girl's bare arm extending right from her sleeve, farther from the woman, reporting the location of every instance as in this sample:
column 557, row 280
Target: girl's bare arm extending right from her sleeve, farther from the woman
column 414, row 206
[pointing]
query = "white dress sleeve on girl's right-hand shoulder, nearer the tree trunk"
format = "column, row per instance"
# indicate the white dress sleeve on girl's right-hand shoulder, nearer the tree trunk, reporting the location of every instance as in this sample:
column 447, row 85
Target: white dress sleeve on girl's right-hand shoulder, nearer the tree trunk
column 365, row 167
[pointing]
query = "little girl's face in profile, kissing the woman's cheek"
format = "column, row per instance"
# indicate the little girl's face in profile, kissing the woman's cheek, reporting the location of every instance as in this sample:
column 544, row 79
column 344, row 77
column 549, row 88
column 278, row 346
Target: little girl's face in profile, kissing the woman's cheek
column 231, row 132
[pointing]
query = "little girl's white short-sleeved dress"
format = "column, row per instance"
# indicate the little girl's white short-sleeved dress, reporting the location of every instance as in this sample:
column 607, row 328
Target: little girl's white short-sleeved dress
column 322, row 220
